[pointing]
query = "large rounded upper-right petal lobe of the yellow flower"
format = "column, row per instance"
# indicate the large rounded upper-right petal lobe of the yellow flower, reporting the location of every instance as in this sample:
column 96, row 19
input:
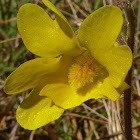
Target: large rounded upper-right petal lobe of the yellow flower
column 99, row 31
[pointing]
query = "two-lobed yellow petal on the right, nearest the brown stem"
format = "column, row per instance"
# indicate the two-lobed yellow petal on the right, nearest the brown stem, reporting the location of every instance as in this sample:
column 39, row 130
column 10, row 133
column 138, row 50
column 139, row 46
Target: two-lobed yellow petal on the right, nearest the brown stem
column 102, row 28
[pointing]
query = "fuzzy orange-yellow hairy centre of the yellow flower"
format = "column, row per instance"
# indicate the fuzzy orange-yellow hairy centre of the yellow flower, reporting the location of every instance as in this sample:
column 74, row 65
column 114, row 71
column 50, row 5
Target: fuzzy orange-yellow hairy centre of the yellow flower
column 84, row 69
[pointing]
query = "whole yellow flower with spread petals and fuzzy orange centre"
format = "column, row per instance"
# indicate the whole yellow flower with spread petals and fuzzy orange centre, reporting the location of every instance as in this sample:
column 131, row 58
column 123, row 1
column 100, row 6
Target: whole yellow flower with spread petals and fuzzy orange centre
column 73, row 68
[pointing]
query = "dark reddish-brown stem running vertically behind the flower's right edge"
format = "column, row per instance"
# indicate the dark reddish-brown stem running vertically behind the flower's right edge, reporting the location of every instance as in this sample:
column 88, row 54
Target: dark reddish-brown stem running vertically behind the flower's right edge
column 130, row 41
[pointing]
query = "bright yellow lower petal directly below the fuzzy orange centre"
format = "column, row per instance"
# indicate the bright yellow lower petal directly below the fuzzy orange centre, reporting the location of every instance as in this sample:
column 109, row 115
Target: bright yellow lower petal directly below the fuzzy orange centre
column 66, row 97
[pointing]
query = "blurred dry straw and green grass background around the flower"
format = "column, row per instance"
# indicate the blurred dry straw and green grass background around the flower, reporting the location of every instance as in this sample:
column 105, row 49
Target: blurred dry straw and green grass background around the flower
column 93, row 120
